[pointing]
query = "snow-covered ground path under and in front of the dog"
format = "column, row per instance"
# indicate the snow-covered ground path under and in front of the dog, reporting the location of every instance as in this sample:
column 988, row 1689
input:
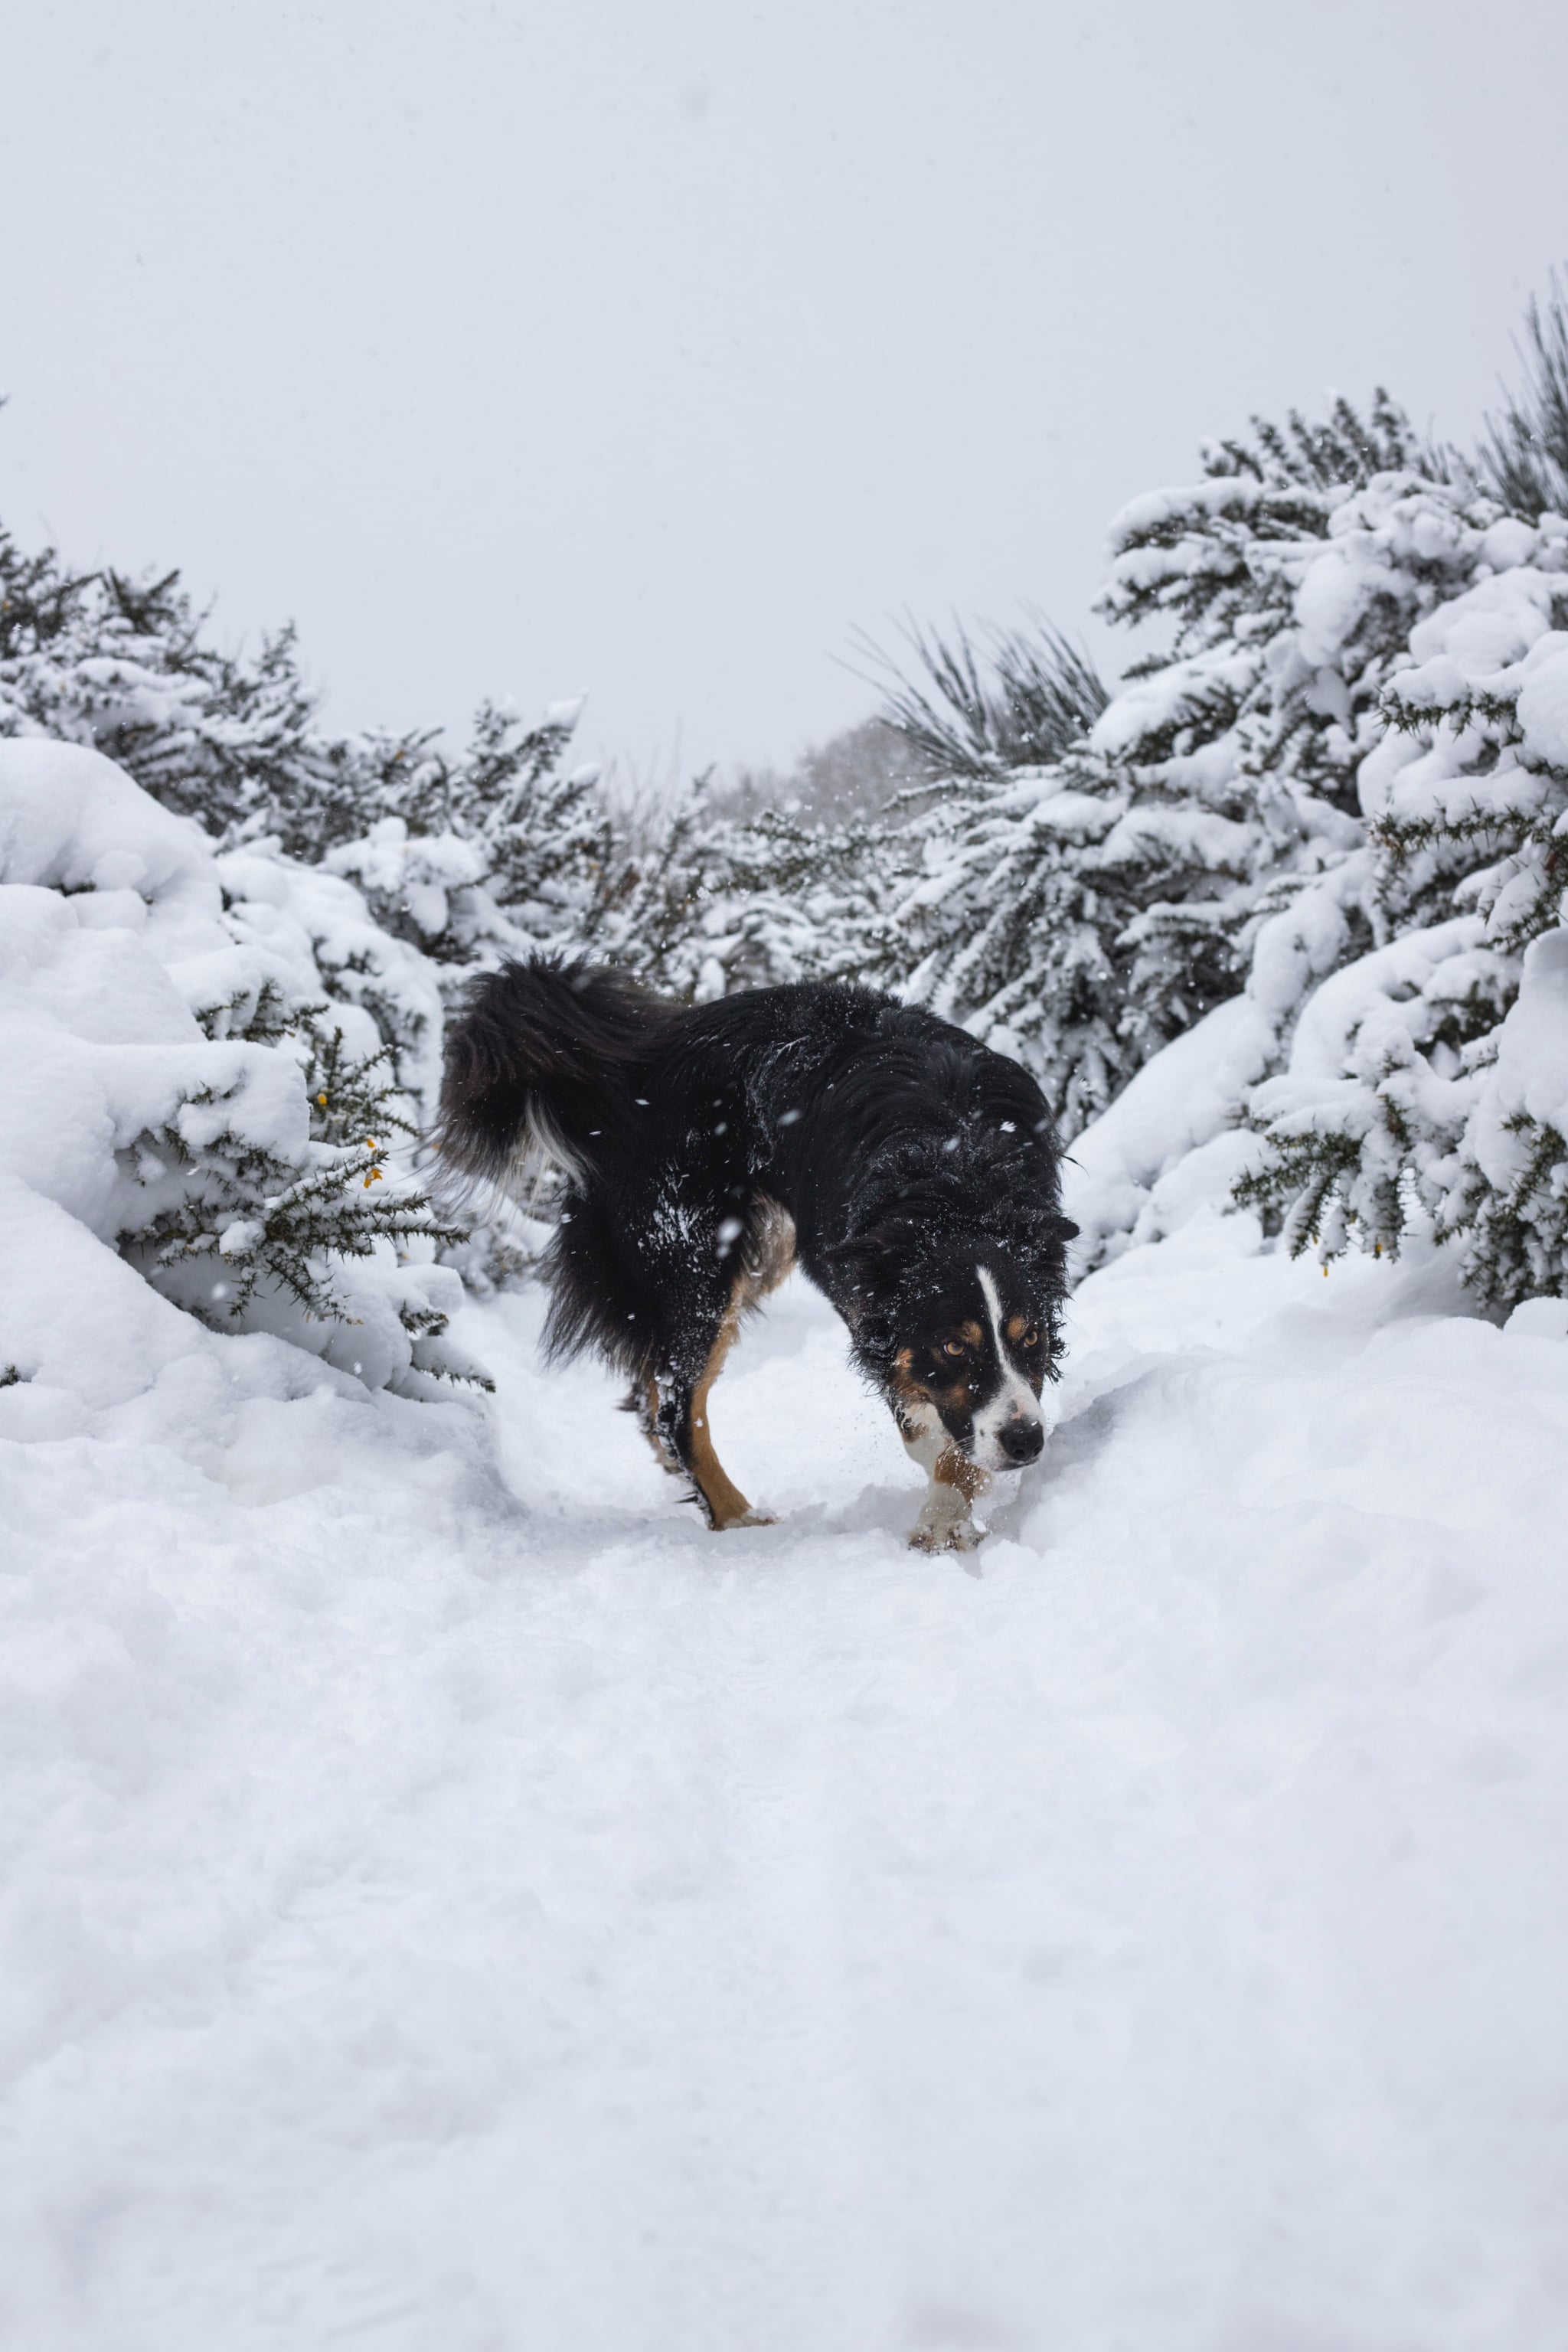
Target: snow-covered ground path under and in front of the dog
column 448, row 1918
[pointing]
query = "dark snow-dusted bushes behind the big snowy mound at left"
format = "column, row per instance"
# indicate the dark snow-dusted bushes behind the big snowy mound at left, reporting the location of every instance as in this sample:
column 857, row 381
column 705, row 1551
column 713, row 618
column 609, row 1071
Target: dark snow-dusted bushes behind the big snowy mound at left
column 469, row 857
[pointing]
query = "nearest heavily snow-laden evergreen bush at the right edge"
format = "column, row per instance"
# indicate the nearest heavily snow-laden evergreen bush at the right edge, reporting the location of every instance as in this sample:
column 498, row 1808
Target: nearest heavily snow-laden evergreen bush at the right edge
column 1412, row 1083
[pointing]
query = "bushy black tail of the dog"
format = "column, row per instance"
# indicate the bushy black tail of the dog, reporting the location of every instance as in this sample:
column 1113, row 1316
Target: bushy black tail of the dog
column 544, row 1062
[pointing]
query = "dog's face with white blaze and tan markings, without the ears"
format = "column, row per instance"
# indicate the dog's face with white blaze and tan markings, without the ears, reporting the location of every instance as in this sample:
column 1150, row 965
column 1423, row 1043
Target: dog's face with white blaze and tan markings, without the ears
column 974, row 1370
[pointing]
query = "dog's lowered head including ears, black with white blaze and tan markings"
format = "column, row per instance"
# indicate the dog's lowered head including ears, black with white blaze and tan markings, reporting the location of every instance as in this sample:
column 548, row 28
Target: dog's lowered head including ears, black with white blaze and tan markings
column 965, row 1347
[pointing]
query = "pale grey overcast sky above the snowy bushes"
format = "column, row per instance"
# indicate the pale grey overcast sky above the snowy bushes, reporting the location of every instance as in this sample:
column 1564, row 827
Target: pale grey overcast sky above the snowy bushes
column 652, row 349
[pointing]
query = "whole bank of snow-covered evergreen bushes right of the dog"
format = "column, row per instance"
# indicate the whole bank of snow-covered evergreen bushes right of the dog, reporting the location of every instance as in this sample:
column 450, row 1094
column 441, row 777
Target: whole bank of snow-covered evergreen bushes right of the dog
column 1261, row 923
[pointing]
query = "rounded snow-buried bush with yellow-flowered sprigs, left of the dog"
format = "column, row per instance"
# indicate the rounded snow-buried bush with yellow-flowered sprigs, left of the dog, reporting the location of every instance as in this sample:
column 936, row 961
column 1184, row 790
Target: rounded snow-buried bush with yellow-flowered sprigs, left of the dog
column 185, row 1097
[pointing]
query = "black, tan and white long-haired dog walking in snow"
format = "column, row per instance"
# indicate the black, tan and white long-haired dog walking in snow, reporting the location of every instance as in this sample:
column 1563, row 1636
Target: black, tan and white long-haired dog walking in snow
column 709, row 1149
